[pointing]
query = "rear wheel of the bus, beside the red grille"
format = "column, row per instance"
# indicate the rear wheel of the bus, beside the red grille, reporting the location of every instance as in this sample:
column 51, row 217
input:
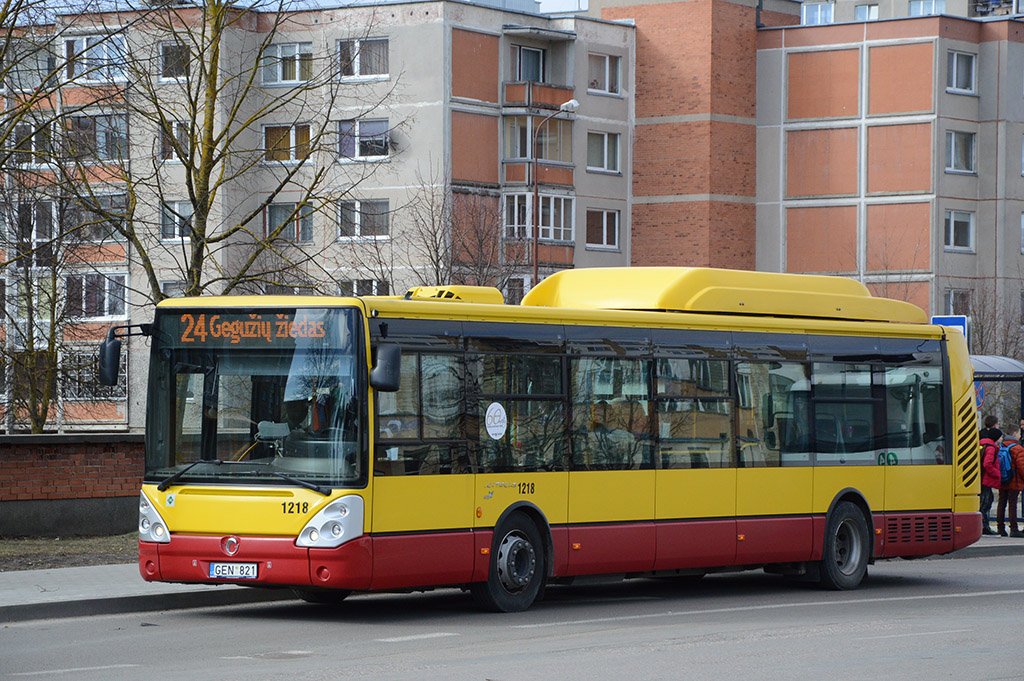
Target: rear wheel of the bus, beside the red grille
column 847, row 548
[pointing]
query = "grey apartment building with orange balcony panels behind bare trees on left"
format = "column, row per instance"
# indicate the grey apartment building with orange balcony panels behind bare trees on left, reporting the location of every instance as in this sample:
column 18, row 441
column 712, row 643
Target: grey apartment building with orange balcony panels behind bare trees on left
column 364, row 124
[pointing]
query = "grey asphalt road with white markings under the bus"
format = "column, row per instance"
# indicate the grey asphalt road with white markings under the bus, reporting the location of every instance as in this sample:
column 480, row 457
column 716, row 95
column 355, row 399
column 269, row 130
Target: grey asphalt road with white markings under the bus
column 912, row 620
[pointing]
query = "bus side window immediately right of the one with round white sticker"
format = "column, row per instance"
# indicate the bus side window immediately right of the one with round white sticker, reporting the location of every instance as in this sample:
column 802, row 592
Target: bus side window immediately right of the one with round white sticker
column 611, row 414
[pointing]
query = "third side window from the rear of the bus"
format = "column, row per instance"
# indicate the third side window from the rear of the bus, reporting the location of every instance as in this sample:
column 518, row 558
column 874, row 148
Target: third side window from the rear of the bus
column 775, row 424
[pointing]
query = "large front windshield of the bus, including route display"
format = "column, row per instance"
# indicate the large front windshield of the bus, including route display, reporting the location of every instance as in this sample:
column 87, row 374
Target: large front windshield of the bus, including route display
column 270, row 397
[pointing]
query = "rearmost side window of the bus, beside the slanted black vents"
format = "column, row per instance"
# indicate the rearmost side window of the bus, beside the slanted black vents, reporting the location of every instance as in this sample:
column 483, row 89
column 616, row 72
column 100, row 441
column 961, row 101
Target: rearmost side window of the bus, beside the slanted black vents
column 914, row 432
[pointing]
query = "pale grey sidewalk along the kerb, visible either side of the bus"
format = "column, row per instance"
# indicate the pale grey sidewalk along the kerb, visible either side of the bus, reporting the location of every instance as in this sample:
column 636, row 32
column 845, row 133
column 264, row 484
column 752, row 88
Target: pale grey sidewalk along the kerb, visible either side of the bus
column 71, row 592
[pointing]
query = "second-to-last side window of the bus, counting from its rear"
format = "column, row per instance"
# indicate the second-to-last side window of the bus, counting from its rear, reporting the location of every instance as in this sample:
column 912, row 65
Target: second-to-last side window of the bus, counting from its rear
column 844, row 415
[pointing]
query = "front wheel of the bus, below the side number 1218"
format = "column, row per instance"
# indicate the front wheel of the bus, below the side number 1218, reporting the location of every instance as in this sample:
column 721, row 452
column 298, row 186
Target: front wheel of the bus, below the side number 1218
column 517, row 571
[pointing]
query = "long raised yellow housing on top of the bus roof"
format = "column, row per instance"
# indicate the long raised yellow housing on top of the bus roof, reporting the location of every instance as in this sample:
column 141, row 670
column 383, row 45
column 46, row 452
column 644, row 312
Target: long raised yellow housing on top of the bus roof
column 718, row 291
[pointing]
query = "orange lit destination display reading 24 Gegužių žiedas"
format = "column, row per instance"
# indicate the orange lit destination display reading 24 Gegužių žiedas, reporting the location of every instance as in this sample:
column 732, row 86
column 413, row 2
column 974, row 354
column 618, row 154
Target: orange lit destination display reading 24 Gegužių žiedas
column 248, row 330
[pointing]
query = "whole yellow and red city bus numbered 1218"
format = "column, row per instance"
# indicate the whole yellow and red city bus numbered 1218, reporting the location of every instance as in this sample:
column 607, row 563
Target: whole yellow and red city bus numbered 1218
column 635, row 422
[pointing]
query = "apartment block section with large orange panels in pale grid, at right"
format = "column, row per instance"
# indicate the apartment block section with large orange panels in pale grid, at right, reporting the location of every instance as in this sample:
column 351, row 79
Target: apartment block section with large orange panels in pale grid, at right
column 894, row 152
